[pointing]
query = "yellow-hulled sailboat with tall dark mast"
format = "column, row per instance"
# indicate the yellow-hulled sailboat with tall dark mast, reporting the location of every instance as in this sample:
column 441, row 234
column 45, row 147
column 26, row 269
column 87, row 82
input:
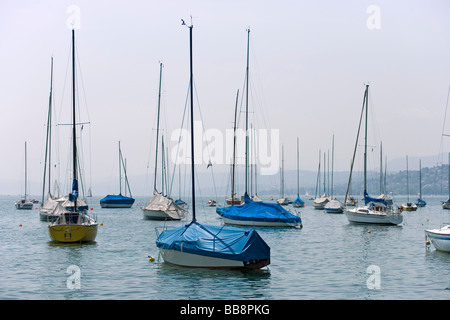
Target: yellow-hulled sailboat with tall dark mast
column 73, row 224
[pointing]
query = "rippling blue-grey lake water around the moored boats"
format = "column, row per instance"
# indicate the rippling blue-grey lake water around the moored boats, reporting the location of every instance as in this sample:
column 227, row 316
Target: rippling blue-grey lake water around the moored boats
column 327, row 259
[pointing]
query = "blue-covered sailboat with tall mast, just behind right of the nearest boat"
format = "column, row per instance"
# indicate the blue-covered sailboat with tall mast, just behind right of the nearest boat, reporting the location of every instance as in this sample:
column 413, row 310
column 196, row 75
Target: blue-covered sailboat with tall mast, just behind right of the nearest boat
column 256, row 213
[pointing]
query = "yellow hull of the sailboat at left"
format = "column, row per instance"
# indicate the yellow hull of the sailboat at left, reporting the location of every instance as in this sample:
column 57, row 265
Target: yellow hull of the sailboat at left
column 73, row 232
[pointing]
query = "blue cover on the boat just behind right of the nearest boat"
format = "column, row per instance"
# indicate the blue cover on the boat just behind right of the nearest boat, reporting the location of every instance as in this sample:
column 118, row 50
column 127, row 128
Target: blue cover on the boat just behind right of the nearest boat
column 259, row 211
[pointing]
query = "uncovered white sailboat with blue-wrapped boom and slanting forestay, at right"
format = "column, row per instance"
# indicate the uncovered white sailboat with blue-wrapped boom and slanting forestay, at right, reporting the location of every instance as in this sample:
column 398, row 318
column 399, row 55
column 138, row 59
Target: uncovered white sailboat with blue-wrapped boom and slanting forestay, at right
column 374, row 210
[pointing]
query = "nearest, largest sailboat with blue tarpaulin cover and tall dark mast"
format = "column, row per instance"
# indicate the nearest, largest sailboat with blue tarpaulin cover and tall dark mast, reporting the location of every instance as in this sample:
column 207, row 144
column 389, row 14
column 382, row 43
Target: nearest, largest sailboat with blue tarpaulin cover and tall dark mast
column 207, row 246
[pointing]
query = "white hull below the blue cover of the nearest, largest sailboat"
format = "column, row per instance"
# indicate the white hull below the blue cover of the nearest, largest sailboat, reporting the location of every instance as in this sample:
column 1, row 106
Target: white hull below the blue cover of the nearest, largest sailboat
column 185, row 259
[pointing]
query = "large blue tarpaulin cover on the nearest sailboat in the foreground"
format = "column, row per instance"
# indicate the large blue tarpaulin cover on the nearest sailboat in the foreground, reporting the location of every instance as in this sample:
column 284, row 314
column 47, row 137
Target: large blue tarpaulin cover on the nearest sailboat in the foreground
column 215, row 241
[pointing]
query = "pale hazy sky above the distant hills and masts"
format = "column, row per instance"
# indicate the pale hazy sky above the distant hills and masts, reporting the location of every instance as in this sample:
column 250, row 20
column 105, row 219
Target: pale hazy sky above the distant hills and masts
column 309, row 61
